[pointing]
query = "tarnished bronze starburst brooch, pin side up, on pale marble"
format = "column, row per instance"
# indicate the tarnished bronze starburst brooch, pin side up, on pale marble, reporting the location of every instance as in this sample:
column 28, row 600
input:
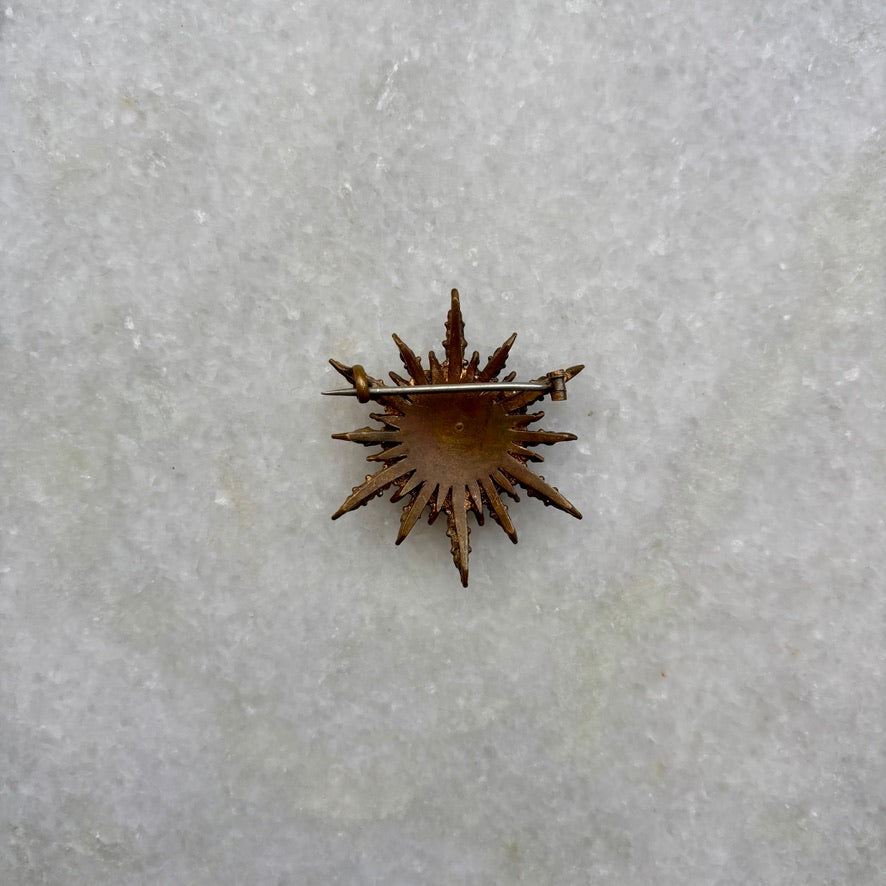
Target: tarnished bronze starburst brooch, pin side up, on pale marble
column 457, row 449
